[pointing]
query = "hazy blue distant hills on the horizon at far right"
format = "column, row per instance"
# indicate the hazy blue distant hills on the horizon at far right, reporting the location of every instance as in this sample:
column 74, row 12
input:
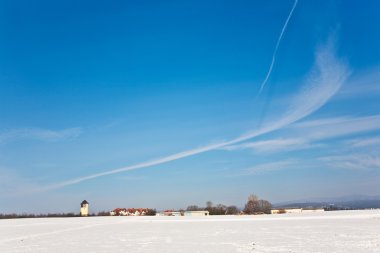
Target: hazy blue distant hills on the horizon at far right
column 339, row 203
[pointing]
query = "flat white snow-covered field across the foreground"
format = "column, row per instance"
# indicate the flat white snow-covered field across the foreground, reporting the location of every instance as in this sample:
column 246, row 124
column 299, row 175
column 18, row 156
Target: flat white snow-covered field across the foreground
column 343, row 231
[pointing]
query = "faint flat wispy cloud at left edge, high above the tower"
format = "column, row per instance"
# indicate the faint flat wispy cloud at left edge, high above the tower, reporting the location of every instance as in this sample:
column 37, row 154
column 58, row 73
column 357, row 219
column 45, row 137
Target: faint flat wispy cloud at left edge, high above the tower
column 39, row 134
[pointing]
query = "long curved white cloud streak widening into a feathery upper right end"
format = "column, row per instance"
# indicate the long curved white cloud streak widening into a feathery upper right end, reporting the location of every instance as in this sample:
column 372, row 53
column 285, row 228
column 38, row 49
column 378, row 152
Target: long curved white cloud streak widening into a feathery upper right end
column 325, row 79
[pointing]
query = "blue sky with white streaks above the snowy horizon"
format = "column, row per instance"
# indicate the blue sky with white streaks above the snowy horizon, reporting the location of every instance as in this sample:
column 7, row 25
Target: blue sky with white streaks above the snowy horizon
column 159, row 104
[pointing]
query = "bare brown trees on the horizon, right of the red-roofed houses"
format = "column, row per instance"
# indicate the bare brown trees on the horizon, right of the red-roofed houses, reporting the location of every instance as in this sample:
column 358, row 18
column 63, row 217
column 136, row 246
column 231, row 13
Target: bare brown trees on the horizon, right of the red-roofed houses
column 254, row 205
